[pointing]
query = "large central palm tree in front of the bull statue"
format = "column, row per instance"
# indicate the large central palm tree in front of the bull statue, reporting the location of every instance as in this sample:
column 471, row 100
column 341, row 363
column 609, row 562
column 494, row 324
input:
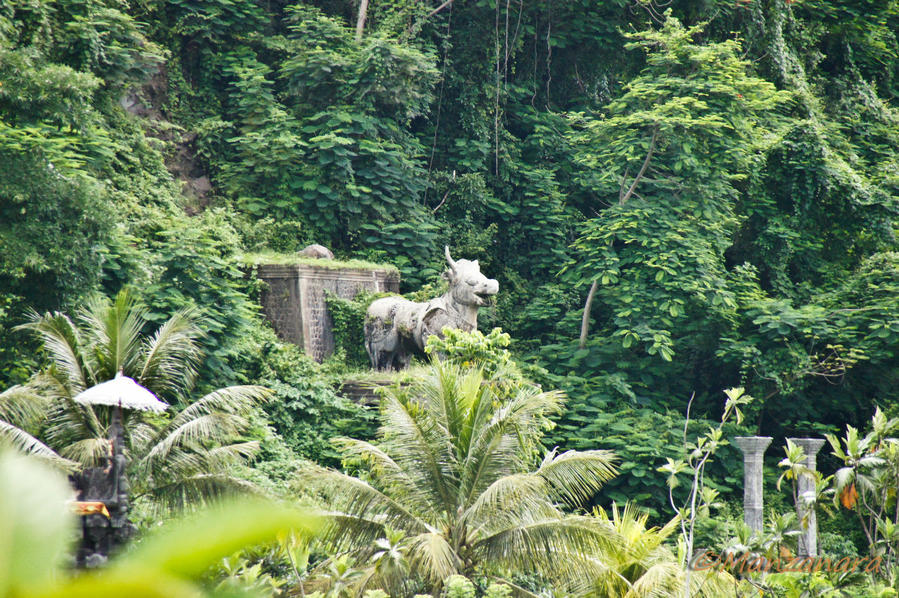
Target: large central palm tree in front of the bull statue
column 453, row 471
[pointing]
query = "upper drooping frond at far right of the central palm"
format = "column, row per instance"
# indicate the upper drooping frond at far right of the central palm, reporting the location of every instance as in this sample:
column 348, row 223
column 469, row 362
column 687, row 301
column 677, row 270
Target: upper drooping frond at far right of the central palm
column 576, row 476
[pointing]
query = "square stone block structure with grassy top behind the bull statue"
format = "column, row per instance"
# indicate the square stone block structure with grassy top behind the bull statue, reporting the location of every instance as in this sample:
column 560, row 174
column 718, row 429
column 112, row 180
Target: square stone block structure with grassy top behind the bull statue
column 293, row 298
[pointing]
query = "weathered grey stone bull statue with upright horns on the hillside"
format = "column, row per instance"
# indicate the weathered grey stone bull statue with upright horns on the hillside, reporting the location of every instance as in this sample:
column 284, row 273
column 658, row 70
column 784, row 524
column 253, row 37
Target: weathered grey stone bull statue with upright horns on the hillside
column 396, row 328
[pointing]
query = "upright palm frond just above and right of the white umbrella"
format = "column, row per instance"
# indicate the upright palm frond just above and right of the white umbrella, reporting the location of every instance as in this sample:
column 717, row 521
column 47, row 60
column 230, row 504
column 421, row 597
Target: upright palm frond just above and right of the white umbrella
column 171, row 356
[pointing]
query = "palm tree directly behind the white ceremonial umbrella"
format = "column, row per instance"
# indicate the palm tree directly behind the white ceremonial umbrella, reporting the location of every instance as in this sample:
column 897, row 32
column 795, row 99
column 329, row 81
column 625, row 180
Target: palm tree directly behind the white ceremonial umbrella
column 176, row 459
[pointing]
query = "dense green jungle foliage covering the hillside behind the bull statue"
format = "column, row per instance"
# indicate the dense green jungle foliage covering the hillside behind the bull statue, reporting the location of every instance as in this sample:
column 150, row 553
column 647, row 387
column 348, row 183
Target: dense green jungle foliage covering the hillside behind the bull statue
column 714, row 183
